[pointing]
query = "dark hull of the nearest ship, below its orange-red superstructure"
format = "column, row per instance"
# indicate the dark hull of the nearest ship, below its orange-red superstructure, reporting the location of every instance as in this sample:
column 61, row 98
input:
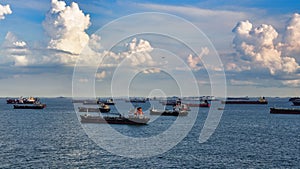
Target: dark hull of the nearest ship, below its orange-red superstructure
column 133, row 120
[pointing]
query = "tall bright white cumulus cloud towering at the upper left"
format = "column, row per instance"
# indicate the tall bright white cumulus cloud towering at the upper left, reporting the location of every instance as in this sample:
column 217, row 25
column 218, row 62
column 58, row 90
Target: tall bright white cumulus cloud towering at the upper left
column 66, row 27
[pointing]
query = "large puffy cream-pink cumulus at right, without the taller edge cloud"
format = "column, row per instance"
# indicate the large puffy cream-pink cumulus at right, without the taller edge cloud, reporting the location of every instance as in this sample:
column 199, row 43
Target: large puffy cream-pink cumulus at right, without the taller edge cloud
column 260, row 46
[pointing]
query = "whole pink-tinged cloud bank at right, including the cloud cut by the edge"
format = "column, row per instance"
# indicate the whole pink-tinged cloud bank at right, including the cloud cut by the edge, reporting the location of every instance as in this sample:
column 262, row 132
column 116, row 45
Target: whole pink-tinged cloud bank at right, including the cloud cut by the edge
column 261, row 47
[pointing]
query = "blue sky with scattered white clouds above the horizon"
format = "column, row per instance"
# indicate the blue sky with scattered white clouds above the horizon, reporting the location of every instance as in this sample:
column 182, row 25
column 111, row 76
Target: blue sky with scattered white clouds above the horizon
column 51, row 48
